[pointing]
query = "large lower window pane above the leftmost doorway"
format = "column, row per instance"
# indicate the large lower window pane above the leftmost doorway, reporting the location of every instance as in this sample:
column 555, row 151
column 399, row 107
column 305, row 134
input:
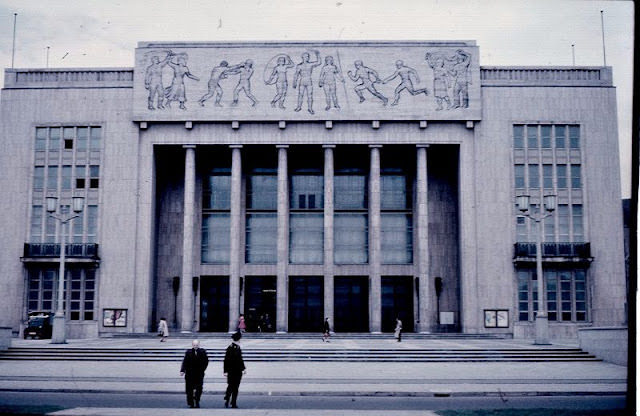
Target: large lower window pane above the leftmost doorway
column 216, row 232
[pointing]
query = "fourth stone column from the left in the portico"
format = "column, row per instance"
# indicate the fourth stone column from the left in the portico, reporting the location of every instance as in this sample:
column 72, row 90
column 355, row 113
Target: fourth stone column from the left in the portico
column 328, row 233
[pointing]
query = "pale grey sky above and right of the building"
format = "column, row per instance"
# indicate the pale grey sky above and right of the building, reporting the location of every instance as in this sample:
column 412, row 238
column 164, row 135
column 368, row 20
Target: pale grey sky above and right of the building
column 105, row 33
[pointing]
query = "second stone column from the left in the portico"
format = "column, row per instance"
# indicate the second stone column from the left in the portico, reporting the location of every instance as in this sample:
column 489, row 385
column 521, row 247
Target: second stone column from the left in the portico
column 235, row 255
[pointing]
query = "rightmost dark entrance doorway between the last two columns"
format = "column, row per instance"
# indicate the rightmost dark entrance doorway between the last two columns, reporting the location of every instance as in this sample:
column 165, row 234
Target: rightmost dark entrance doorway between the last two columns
column 397, row 302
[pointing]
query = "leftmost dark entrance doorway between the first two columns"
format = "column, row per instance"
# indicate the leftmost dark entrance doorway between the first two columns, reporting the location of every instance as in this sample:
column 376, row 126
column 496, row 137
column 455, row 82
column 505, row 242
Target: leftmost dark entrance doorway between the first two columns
column 214, row 303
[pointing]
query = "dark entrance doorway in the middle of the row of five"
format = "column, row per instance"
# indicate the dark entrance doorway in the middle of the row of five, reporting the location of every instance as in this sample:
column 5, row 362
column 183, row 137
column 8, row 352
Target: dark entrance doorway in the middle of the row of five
column 306, row 304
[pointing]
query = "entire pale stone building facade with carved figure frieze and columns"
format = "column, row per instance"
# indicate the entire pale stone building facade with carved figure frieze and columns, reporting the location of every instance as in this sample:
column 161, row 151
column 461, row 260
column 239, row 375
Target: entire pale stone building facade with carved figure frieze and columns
column 289, row 182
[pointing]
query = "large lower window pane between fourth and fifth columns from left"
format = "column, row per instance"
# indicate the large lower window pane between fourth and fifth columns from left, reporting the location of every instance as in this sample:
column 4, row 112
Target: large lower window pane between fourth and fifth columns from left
column 351, row 239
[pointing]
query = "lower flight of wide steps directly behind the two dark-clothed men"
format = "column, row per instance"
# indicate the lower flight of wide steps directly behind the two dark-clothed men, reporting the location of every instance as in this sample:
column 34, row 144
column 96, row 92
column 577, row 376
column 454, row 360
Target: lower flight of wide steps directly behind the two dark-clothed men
column 309, row 355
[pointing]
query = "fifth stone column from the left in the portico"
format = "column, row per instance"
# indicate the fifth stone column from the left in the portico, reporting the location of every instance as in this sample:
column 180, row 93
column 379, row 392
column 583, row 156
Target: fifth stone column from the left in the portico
column 375, row 316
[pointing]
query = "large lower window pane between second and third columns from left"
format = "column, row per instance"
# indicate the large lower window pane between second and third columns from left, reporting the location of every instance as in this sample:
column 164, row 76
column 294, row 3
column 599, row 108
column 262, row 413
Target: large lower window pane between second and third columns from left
column 261, row 239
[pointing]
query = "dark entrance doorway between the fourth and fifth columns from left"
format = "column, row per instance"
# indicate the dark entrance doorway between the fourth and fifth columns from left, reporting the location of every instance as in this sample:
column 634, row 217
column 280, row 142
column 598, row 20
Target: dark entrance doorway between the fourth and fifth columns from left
column 351, row 304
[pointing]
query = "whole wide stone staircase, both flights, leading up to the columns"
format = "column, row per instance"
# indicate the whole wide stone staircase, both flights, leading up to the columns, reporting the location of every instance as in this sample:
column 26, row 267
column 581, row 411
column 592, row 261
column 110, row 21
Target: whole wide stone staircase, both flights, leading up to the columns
column 293, row 352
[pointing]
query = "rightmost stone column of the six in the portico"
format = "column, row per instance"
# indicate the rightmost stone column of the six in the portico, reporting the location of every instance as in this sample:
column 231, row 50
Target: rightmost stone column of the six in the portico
column 422, row 249
